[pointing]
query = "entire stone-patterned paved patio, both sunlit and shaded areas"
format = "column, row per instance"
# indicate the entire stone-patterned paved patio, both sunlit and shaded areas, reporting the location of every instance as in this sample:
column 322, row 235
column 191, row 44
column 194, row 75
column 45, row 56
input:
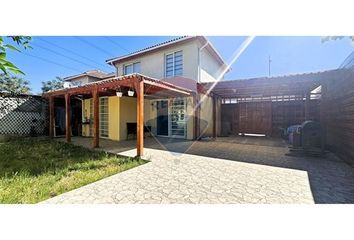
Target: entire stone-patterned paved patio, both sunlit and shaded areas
column 229, row 170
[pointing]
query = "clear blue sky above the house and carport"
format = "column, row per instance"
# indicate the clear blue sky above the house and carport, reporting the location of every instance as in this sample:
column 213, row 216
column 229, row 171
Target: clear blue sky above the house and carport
column 64, row 56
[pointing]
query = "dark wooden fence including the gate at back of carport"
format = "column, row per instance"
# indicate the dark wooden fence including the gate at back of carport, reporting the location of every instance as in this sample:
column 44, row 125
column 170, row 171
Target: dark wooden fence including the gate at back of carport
column 265, row 117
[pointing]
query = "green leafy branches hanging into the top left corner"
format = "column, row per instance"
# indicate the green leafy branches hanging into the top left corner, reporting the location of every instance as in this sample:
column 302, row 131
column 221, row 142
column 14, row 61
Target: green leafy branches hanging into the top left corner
column 5, row 65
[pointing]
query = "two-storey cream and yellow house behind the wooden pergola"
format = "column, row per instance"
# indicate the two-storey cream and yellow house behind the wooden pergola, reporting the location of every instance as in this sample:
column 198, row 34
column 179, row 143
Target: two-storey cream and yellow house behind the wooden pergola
column 185, row 62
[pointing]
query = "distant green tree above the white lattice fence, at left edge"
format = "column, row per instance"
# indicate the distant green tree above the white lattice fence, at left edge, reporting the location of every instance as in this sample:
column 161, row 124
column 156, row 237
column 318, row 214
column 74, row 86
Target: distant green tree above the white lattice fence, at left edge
column 14, row 85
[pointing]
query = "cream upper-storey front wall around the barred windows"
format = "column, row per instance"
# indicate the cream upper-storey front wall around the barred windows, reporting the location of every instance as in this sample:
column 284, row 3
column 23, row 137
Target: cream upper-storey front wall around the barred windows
column 153, row 64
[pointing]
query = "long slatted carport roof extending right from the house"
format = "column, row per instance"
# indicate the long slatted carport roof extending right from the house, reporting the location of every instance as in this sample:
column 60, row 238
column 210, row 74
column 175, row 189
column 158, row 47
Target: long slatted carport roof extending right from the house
column 298, row 84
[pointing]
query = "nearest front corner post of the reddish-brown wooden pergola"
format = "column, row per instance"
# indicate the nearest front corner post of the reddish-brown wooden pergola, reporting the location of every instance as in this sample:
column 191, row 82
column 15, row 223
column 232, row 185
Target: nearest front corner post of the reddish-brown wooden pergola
column 139, row 87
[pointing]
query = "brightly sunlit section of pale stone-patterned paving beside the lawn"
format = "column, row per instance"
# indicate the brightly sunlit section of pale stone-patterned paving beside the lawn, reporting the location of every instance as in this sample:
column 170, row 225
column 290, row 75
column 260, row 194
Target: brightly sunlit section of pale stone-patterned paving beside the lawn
column 185, row 178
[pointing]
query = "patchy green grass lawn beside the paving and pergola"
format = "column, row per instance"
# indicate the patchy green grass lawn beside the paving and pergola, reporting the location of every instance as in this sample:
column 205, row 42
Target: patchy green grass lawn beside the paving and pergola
column 35, row 169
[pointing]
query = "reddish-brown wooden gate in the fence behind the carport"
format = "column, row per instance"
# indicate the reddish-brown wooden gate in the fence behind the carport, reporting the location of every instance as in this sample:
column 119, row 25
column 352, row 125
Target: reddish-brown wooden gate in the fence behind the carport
column 255, row 117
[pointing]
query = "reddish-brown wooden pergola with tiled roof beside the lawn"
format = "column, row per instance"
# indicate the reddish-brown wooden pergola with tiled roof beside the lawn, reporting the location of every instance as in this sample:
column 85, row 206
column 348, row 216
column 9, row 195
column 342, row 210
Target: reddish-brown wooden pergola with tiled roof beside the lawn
column 145, row 87
